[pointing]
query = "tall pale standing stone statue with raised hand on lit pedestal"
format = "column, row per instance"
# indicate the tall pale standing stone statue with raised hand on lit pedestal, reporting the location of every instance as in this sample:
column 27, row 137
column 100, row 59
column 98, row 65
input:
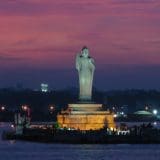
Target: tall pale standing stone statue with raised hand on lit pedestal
column 85, row 66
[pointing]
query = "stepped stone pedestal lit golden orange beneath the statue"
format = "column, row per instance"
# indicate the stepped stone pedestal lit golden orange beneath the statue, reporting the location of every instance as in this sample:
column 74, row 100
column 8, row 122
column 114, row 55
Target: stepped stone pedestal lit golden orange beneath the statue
column 85, row 117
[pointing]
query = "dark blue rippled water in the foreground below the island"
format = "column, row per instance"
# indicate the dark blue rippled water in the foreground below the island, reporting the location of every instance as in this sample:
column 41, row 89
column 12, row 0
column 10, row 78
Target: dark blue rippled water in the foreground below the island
column 17, row 150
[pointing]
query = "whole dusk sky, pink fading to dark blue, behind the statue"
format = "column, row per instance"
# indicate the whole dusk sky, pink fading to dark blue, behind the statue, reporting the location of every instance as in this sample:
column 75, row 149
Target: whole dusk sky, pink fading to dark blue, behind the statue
column 39, row 40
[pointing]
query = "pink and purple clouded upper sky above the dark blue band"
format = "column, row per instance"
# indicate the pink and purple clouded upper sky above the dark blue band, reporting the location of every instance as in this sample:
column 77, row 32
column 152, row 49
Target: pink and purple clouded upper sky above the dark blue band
column 50, row 33
